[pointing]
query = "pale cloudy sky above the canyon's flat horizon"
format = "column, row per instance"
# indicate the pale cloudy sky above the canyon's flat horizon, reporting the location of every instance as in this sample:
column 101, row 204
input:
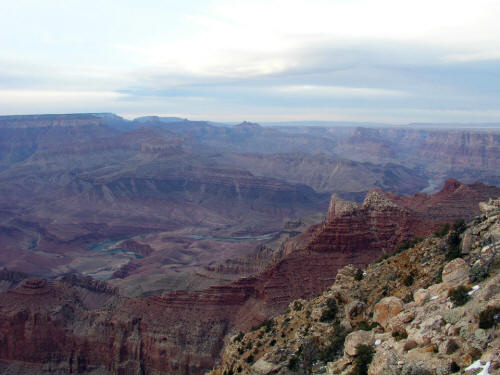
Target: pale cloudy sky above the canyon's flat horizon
column 395, row 61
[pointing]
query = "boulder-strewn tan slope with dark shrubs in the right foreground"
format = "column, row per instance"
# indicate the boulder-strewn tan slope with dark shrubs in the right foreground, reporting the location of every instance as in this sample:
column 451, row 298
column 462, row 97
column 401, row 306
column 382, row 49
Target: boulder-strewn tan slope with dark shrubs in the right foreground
column 417, row 312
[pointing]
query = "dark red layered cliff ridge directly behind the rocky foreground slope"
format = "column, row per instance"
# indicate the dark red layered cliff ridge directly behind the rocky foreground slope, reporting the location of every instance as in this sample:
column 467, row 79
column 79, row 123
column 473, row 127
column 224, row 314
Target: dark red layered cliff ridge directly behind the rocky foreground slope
column 78, row 326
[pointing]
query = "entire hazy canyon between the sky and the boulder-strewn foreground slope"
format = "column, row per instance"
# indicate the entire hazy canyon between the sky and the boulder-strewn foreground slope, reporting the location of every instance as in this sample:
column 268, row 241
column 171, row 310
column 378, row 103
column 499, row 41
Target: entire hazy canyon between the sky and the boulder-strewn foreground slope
column 138, row 246
